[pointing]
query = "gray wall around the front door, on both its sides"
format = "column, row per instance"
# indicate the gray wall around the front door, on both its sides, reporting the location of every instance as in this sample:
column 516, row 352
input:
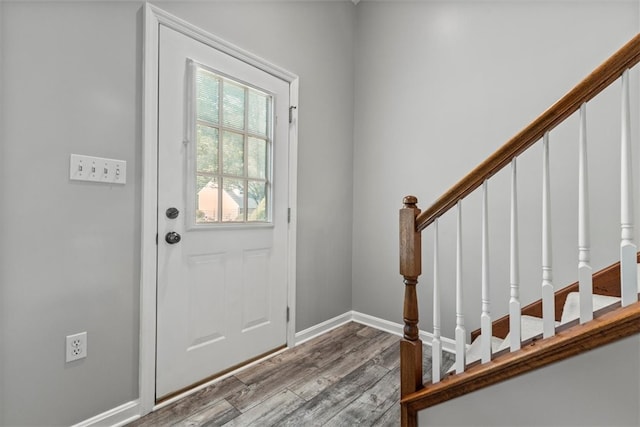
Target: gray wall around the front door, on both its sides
column 70, row 251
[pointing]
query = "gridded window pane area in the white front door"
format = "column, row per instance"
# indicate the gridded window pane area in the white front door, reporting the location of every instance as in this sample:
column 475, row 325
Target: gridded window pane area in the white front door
column 232, row 128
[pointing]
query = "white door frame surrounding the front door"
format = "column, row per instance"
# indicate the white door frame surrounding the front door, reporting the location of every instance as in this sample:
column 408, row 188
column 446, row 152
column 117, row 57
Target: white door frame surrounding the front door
column 153, row 18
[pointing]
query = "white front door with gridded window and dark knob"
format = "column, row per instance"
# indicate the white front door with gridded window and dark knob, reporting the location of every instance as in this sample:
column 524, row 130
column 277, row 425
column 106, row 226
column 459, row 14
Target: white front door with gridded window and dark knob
column 222, row 212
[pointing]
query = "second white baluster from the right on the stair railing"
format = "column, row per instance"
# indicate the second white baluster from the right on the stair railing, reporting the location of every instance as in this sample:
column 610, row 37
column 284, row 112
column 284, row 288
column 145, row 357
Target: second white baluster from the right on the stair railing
column 585, row 273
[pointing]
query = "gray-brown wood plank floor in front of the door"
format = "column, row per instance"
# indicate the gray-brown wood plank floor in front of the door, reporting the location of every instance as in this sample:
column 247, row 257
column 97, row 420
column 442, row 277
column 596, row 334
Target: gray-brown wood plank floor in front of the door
column 349, row 376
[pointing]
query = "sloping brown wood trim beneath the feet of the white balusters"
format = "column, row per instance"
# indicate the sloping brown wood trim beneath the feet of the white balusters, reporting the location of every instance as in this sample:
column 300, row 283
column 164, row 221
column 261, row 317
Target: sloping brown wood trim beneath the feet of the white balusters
column 610, row 327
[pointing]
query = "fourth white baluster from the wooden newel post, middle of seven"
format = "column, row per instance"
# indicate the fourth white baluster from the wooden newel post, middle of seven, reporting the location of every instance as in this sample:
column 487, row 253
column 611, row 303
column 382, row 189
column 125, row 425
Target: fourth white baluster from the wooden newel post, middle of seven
column 515, row 325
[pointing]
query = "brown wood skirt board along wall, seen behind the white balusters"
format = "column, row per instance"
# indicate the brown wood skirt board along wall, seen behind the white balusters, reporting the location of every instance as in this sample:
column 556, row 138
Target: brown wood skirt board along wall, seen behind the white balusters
column 605, row 282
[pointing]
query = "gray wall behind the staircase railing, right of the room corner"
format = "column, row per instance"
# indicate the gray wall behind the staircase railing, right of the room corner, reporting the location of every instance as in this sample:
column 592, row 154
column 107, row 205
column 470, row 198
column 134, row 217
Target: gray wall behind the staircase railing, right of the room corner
column 441, row 85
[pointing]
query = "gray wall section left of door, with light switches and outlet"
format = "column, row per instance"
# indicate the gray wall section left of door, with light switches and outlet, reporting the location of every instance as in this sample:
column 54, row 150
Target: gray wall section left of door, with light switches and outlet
column 70, row 251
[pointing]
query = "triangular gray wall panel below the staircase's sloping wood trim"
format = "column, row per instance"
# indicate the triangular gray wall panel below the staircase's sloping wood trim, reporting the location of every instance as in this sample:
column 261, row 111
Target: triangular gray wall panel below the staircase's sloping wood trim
column 569, row 393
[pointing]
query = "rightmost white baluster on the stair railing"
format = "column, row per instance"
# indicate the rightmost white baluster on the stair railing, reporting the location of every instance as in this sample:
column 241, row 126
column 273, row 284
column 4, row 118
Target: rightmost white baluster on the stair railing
column 628, row 248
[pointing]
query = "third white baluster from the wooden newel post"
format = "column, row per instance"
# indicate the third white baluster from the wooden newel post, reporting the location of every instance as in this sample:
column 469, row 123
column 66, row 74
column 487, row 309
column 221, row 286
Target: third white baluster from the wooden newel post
column 485, row 317
